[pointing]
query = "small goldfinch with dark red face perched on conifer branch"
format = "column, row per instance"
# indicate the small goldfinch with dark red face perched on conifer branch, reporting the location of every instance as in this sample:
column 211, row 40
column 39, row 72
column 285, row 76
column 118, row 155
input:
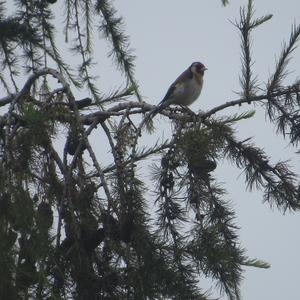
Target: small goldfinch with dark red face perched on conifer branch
column 187, row 87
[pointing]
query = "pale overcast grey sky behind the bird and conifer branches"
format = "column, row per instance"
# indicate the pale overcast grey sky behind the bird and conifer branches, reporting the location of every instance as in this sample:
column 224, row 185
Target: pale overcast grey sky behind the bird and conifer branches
column 168, row 35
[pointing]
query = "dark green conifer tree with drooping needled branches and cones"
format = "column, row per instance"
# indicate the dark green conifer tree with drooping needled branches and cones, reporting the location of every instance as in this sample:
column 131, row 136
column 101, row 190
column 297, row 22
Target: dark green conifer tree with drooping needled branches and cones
column 75, row 226
